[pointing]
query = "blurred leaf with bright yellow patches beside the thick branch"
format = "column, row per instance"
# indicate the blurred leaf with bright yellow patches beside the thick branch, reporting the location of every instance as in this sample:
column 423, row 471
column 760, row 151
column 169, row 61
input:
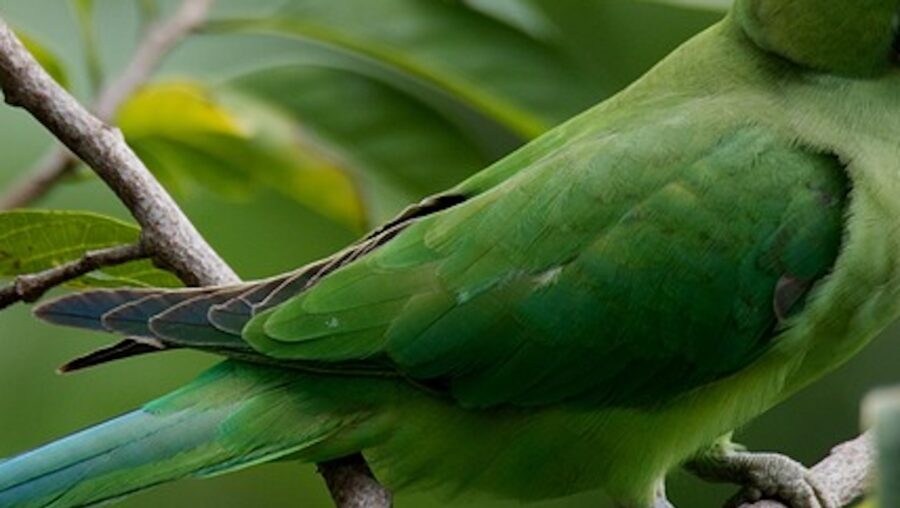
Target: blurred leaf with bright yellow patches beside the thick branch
column 189, row 134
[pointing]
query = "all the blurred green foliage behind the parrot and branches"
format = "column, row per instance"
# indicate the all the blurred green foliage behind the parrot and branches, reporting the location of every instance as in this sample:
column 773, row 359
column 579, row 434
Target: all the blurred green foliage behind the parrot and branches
column 291, row 126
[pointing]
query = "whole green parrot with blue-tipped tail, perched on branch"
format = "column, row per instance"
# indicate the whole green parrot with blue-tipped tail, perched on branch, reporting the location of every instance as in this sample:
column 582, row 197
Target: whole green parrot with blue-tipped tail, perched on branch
column 600, row 307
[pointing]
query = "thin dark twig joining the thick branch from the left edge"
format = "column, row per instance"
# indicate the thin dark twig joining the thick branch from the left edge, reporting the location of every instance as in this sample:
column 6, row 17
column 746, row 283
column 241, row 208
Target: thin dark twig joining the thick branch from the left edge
column 28, row 288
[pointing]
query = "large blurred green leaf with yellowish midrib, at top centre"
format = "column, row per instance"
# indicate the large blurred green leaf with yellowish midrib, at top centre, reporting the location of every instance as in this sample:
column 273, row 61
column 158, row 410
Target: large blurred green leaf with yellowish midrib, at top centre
column 442, row 52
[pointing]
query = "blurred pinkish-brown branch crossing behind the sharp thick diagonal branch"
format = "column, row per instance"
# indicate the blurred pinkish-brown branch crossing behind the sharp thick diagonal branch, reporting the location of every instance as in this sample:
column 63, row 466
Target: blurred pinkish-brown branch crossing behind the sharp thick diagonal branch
column 160, row 39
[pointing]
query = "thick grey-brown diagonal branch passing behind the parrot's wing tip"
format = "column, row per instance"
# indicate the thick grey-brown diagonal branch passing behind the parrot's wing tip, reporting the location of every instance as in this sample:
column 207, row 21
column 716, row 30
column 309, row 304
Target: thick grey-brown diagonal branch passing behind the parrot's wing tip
column 168, row 235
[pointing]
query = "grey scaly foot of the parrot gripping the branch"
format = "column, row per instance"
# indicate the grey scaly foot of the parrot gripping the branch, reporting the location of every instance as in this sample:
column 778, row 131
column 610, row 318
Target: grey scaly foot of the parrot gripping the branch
column 762, row 475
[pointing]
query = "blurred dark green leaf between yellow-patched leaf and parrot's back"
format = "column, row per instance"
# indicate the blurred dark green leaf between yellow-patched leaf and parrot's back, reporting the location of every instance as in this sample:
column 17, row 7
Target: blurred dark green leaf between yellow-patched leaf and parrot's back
column 399, row 148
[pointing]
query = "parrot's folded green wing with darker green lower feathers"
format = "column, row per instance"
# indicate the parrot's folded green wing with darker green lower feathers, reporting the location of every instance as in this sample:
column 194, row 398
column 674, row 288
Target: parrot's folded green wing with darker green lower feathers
column 598, row 275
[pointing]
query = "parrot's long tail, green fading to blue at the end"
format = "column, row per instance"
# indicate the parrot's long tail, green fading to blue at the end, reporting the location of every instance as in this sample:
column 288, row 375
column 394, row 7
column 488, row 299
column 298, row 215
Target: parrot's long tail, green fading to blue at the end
column 233, row 416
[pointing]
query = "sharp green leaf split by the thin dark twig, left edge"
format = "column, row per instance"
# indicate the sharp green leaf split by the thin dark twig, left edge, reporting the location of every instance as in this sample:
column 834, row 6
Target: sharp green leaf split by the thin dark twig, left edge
column 36, row 240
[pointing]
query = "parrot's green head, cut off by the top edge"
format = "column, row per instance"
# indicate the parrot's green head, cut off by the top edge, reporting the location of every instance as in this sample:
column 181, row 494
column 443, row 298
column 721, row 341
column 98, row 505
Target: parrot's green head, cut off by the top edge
column 851, row 37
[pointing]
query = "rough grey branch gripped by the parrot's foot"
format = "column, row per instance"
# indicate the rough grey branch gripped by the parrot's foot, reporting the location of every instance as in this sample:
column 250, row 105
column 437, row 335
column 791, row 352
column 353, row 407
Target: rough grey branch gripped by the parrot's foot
column 849, row 471
